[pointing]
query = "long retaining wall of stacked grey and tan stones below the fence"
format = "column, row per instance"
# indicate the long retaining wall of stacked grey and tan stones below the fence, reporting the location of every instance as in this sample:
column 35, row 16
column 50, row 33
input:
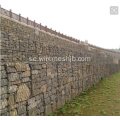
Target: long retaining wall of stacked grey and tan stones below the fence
column 41, row 87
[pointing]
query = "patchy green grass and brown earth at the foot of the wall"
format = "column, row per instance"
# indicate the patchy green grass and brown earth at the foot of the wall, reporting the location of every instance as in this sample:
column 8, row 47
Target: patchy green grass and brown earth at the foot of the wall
column 102, row 99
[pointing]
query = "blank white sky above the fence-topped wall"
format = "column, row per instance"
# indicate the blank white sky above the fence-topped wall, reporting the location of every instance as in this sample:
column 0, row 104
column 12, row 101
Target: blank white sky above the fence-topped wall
column 81, row 19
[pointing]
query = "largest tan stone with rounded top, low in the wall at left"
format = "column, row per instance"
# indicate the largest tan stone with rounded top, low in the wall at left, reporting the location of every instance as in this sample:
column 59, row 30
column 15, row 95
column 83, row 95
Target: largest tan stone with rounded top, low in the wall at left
column 23, row 93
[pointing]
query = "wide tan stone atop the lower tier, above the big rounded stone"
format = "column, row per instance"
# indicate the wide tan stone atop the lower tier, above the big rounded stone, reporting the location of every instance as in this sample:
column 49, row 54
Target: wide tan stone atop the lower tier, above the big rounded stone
column 22, row 67
